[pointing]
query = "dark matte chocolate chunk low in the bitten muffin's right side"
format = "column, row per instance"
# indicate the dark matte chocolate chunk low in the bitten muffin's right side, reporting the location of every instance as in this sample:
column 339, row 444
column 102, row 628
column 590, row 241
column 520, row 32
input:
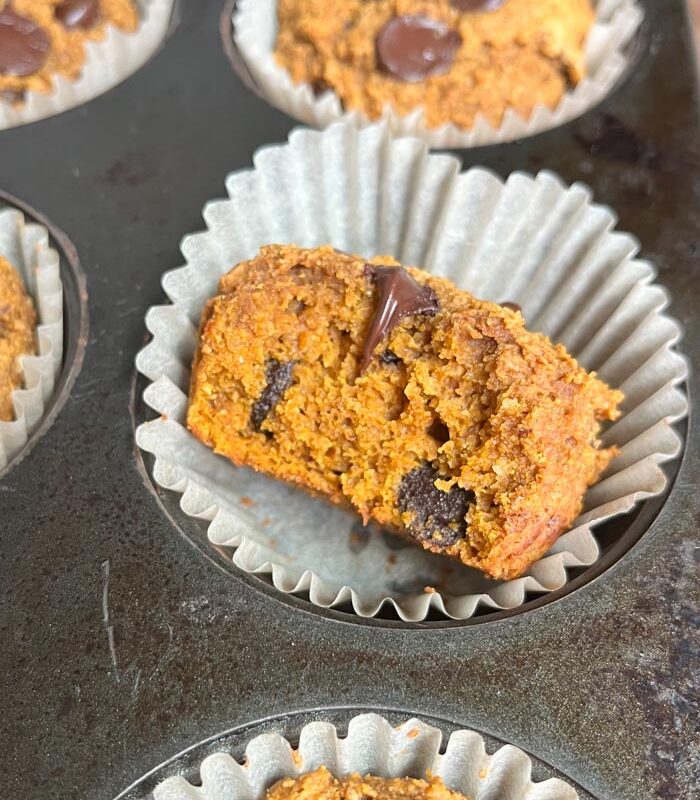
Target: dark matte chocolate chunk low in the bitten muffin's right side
column 438, row 517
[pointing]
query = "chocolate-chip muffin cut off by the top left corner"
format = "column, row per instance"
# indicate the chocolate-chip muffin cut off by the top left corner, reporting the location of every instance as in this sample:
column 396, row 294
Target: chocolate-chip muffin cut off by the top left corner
column 41, row 39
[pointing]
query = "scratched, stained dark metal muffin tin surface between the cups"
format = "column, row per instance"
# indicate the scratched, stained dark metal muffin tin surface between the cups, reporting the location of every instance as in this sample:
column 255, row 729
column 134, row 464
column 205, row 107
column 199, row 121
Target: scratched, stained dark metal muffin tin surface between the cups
column 604, row 684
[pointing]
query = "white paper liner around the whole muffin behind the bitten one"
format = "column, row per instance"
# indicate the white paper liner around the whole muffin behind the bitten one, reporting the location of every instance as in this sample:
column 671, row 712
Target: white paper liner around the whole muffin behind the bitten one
column 255, row 33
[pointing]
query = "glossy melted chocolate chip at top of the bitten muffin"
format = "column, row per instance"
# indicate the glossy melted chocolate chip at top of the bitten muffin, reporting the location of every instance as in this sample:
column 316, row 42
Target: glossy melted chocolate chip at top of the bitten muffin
column 400, row 295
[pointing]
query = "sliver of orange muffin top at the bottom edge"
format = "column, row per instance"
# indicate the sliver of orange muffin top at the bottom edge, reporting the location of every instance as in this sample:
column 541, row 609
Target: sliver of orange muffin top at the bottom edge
column 321, row 785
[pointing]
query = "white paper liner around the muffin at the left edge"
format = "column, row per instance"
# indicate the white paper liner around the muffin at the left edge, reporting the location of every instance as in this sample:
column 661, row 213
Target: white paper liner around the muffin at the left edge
column 26, row 247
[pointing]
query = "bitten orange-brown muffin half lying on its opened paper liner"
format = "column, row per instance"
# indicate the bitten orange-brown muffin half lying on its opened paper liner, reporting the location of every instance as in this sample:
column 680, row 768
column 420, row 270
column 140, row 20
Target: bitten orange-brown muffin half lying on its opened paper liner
column 460, row 430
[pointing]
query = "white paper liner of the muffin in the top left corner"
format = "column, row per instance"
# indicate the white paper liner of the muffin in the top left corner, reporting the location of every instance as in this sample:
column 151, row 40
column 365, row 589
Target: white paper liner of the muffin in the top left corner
column 107, row 63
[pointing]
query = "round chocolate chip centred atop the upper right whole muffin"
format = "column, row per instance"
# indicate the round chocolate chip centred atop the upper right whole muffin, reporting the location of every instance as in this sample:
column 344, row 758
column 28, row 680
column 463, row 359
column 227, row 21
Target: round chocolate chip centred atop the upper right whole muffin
column 413, row 48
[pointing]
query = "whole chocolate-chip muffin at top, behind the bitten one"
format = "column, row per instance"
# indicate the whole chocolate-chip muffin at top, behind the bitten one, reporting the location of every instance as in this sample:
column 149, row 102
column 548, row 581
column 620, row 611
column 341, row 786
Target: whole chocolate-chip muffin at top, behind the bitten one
column 515, row 54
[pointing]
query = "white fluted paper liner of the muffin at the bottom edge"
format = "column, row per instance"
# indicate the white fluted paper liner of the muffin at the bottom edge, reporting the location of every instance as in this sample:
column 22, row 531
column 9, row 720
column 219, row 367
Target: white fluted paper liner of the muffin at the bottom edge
column 372, row 746
